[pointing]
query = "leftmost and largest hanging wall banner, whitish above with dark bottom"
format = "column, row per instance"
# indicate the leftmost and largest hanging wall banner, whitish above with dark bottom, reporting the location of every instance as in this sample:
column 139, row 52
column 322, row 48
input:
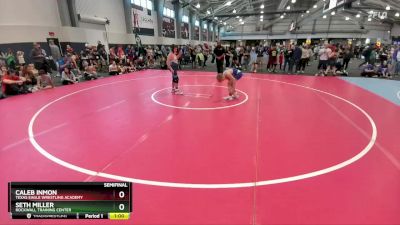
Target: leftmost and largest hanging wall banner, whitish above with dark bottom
column 143, row 21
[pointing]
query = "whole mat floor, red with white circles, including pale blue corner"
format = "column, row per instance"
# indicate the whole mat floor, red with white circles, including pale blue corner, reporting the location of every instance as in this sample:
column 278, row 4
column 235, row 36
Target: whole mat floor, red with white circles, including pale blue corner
column 291, row 150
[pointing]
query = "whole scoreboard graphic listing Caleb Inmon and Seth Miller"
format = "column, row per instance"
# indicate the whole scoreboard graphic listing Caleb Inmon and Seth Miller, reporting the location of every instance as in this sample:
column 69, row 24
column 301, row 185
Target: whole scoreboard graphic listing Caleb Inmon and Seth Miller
column 65, row 200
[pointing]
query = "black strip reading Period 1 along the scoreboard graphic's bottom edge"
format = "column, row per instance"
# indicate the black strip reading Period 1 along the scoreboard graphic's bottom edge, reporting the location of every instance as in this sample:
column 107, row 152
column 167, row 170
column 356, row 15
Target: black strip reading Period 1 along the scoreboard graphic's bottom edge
column 89, row 216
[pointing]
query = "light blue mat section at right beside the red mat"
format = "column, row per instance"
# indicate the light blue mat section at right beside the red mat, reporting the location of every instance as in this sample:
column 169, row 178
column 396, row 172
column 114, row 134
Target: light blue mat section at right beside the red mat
column 388, row 89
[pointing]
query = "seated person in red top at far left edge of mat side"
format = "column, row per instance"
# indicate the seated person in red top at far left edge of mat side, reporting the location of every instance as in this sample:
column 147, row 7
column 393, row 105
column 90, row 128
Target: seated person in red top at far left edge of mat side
column 13, row 84
